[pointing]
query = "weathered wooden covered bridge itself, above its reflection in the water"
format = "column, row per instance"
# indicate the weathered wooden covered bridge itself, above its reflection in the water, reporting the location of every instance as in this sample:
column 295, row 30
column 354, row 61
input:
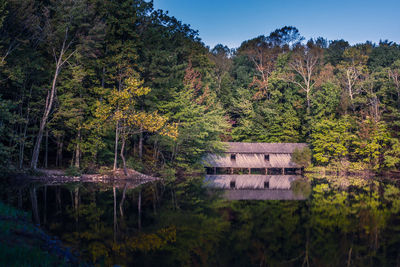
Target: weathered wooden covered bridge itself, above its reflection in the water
column 255, row 158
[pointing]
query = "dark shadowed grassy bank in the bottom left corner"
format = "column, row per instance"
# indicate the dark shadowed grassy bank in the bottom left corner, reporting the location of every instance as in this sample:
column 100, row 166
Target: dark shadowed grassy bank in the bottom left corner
column 24, row 244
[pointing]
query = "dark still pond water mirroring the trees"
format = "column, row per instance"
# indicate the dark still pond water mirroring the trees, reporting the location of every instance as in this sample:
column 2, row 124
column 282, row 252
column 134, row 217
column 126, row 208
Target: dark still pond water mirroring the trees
column 339, row 222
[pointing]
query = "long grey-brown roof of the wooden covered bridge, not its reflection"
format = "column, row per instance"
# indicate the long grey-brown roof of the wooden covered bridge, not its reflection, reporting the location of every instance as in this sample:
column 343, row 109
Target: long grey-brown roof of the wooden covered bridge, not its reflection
column 263, row 148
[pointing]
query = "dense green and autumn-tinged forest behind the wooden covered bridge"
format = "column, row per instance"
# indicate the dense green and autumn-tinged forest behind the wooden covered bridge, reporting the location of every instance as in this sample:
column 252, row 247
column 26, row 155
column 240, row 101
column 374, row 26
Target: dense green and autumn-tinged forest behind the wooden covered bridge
column 99, row 84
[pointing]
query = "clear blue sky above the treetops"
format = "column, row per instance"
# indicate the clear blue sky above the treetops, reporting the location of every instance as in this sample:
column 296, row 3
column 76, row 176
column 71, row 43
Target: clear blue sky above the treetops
column 232, row 21
